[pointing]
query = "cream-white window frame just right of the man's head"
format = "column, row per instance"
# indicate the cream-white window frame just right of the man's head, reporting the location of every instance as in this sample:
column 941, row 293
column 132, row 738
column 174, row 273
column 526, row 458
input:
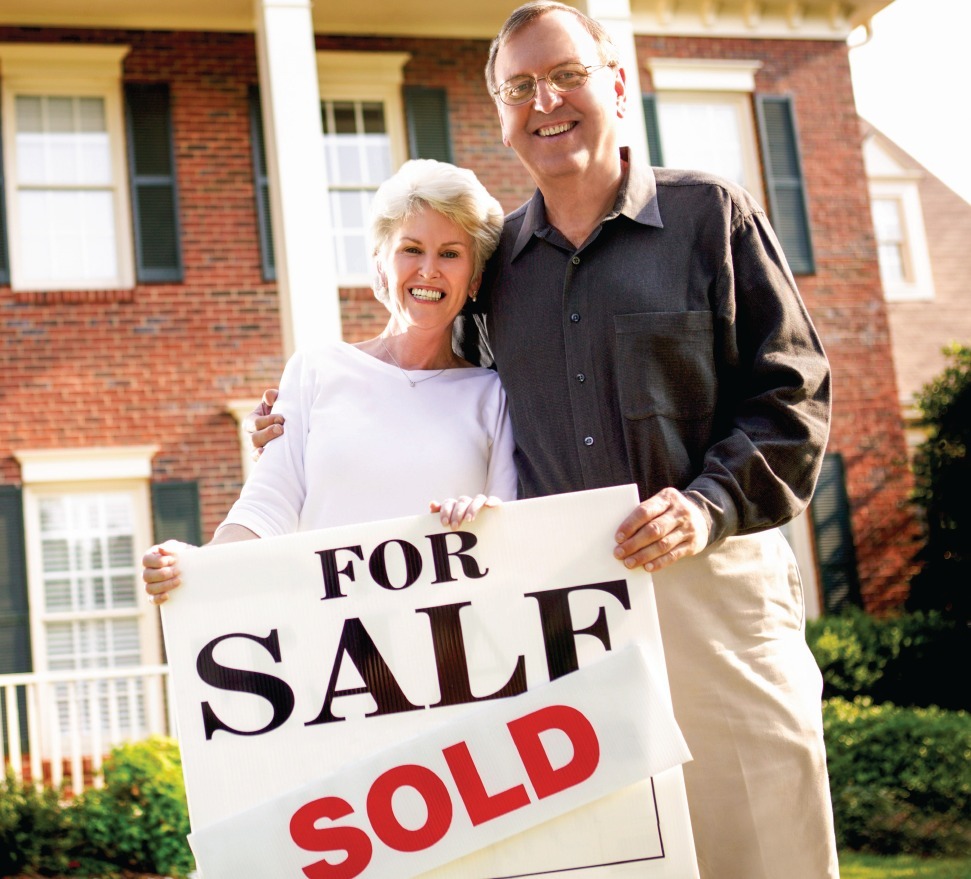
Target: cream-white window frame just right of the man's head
column 727, row 83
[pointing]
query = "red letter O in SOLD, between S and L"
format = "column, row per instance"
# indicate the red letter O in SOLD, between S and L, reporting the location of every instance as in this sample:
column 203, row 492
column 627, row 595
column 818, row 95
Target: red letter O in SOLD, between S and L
column 437, row 803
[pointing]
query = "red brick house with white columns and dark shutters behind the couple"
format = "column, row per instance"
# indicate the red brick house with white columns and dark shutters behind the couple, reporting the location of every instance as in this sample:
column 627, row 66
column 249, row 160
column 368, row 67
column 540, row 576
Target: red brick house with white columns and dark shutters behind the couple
column 146, row 298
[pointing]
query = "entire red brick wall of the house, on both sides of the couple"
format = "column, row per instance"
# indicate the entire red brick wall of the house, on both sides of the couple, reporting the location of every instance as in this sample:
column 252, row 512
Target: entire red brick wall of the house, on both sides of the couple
column 159, row 364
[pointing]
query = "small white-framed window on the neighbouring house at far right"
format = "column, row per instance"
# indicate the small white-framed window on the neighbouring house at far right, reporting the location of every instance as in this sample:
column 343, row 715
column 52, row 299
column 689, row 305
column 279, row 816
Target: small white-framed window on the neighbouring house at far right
column 898, row 224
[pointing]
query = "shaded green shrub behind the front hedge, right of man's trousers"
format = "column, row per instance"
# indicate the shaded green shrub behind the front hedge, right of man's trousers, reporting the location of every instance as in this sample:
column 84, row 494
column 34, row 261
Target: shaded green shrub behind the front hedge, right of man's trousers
column 907, row 660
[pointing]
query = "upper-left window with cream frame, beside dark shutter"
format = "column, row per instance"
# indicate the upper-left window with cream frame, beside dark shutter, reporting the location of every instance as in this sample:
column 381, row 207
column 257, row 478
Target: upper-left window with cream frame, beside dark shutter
column 65, row 170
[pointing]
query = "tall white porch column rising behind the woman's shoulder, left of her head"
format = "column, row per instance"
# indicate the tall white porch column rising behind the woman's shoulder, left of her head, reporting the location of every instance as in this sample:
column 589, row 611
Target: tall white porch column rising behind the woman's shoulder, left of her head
column 290, row 97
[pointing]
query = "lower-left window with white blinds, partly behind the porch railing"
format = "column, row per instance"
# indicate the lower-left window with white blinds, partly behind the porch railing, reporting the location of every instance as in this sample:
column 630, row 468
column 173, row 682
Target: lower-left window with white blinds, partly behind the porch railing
column 87, row 521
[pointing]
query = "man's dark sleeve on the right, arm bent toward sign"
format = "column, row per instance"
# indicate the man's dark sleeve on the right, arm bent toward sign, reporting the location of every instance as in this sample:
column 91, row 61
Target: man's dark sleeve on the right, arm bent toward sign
column 774, row 392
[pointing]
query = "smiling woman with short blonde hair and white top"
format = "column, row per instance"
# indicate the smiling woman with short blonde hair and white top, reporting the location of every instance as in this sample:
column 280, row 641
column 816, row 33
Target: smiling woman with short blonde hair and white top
column 377, row 428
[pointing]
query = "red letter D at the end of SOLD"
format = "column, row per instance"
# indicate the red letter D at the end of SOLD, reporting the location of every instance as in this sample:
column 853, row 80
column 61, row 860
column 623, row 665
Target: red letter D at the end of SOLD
column 586, row 748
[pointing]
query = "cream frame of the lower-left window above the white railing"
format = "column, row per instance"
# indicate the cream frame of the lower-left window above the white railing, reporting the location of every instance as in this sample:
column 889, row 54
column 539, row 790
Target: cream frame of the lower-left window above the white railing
column 54, row 473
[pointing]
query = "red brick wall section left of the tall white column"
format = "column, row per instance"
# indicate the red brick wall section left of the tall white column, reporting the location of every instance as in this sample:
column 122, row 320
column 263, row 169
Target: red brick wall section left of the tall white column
column 158, row 364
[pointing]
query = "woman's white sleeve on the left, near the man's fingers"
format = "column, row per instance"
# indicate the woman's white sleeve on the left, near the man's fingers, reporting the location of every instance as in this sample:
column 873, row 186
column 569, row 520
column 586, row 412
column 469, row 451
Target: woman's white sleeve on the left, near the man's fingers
column 273, row 495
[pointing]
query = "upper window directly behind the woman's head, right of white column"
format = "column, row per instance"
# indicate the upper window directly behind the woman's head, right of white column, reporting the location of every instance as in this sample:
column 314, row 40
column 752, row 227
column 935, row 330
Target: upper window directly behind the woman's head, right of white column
column 364, row 143
